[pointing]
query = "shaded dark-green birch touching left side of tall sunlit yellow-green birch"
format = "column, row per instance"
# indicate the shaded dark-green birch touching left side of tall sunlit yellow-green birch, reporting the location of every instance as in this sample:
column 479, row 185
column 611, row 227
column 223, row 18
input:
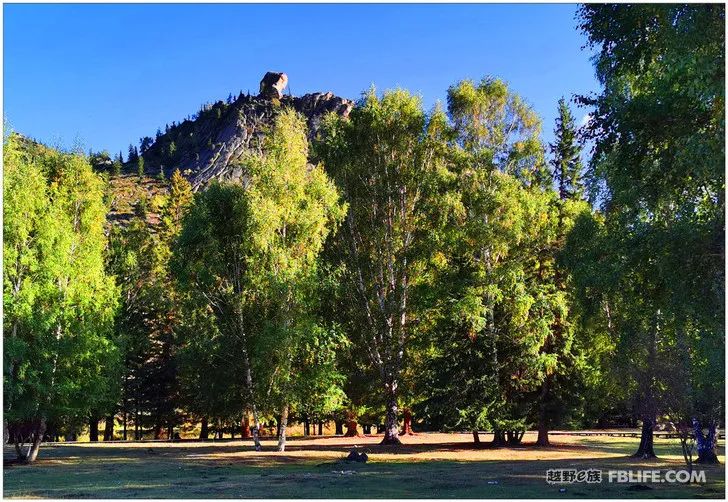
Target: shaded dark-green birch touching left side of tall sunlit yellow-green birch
column 211, row 264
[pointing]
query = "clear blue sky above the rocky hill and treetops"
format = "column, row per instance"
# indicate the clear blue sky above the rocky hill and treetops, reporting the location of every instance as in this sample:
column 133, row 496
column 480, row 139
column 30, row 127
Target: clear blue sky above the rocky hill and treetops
column 105, row 75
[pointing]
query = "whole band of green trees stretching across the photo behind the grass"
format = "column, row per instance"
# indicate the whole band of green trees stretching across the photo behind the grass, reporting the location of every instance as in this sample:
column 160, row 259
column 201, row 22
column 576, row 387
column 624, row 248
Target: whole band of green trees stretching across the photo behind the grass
column 440, row 269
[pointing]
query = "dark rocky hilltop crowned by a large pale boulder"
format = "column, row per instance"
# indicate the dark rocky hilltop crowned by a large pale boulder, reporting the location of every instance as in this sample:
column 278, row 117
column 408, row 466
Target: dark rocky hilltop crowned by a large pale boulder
column 207, row 146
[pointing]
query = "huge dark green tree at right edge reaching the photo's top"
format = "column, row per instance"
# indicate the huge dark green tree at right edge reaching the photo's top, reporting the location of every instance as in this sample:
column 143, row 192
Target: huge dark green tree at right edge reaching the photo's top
column 657, row 169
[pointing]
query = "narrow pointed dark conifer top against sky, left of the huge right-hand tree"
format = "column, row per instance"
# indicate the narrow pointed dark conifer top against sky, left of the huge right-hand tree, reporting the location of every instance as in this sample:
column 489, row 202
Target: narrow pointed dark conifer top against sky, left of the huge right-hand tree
column 566, row 153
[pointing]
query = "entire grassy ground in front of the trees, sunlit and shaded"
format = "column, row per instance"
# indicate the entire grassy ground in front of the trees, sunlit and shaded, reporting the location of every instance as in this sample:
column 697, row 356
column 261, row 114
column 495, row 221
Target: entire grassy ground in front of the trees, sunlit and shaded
column 428, row 466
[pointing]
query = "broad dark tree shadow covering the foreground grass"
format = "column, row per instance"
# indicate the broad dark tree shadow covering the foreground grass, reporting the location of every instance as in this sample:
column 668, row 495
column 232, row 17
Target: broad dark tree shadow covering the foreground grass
column 185, row 472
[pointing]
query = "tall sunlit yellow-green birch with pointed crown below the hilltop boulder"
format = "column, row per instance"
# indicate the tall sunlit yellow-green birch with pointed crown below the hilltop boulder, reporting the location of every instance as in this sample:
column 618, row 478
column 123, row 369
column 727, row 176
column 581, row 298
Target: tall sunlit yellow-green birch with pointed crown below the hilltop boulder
column 296, row 207
